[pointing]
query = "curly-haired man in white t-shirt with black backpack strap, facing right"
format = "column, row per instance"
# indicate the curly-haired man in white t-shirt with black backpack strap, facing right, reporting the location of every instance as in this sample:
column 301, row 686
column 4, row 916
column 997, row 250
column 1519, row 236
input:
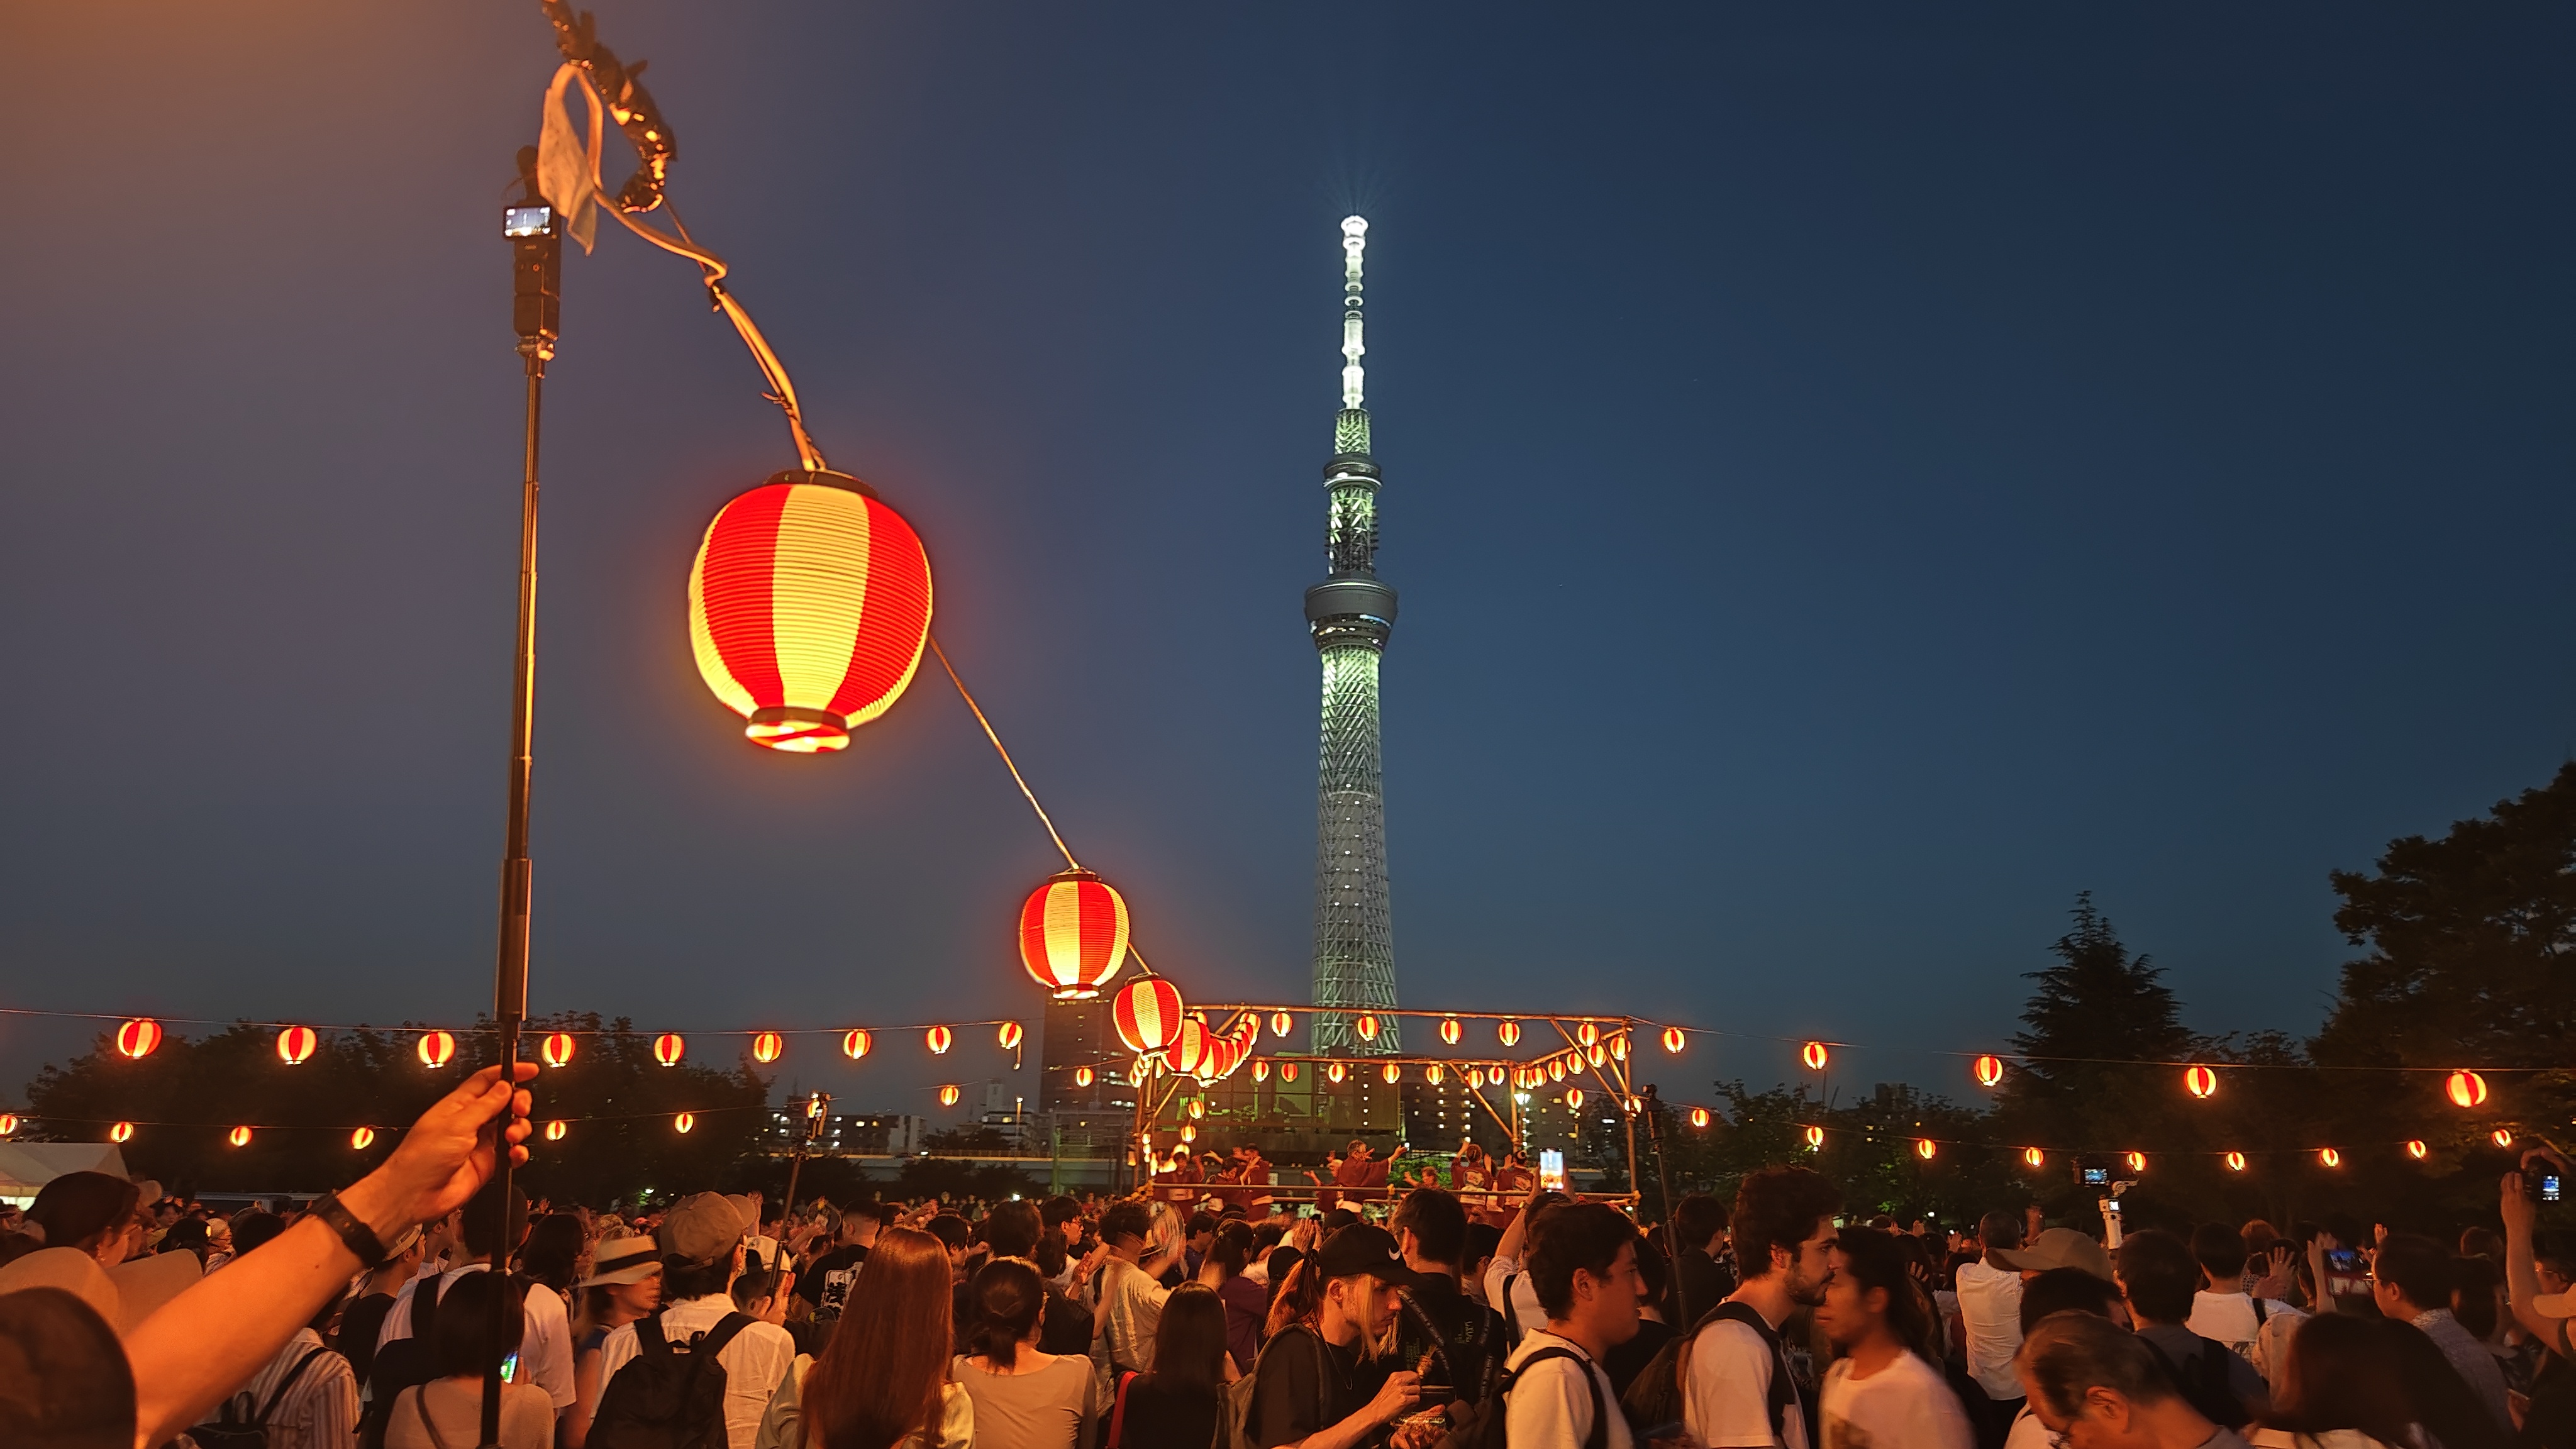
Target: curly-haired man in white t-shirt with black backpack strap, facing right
column 1738, row 1383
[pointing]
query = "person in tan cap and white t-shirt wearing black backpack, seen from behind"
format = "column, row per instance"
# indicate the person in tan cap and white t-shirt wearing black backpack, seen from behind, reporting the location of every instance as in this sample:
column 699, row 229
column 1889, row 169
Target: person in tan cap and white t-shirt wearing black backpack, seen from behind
column 702, row 1254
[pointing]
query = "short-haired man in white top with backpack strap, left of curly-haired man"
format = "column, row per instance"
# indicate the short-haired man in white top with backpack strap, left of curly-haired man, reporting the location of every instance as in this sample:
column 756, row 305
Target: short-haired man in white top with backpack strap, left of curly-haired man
column 1586, row 1270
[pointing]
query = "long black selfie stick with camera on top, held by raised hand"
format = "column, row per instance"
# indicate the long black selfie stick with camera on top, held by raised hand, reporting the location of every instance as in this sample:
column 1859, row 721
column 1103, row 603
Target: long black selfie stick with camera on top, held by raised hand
column 537, row 285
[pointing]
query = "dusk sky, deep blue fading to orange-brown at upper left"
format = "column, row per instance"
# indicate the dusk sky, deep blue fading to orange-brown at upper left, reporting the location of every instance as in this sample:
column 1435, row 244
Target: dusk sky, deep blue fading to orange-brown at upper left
column 1853, row 478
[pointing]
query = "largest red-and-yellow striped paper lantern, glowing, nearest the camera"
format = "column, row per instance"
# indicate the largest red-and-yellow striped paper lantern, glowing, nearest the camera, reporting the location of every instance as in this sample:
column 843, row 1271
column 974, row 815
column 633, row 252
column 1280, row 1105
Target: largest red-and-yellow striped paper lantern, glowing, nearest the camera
column 808, row 610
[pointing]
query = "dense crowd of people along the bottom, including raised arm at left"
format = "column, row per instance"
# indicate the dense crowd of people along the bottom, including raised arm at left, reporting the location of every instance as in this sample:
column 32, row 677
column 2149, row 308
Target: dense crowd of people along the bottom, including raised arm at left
column 1779, row 1319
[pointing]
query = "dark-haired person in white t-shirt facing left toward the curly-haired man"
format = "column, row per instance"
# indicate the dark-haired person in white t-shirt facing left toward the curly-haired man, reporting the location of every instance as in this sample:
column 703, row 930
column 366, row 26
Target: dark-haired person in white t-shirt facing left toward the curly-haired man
column 1882, row 1394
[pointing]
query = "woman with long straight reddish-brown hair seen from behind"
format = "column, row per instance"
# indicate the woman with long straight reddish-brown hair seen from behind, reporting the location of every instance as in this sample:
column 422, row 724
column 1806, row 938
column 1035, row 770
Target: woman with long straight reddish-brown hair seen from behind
column 882, row 1383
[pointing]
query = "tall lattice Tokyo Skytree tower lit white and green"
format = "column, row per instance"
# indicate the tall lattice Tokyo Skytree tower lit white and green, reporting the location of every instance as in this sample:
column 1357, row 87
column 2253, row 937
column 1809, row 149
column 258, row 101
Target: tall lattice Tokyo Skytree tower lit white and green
column 1351, row 618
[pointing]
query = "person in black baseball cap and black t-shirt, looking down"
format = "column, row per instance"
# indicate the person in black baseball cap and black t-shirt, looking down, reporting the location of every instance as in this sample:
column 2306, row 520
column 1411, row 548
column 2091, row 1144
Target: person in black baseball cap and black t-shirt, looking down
column 1312, row 1376
